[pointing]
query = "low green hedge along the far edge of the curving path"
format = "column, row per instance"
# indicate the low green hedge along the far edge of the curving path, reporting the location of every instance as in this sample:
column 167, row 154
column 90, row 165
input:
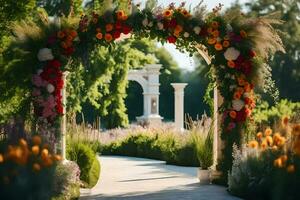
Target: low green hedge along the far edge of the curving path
column 172, row 148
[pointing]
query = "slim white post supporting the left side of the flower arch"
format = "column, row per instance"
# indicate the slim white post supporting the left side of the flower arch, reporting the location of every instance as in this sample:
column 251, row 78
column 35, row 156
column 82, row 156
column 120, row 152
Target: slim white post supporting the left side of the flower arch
column 64, row 117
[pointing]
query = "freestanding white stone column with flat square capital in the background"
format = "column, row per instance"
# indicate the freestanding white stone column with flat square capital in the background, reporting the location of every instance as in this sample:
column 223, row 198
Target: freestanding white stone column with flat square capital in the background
column 179, row 104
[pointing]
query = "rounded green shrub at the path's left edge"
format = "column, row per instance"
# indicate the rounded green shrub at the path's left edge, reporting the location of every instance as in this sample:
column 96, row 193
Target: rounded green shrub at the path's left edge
column 84, row 156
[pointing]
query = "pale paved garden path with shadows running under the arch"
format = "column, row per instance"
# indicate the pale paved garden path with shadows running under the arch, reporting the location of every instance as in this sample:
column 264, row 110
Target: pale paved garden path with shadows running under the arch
column 143, row 179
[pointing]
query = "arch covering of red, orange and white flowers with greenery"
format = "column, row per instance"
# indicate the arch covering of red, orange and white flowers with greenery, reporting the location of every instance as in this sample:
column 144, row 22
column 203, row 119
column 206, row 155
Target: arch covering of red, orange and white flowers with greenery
column 232, row 42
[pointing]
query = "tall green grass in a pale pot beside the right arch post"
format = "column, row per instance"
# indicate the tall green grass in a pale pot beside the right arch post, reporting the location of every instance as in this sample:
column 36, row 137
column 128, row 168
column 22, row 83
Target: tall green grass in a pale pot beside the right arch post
column 203, row 143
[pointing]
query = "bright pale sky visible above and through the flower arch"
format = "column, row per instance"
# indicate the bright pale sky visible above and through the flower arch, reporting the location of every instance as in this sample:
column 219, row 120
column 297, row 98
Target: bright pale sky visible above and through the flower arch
column 183, row 59
